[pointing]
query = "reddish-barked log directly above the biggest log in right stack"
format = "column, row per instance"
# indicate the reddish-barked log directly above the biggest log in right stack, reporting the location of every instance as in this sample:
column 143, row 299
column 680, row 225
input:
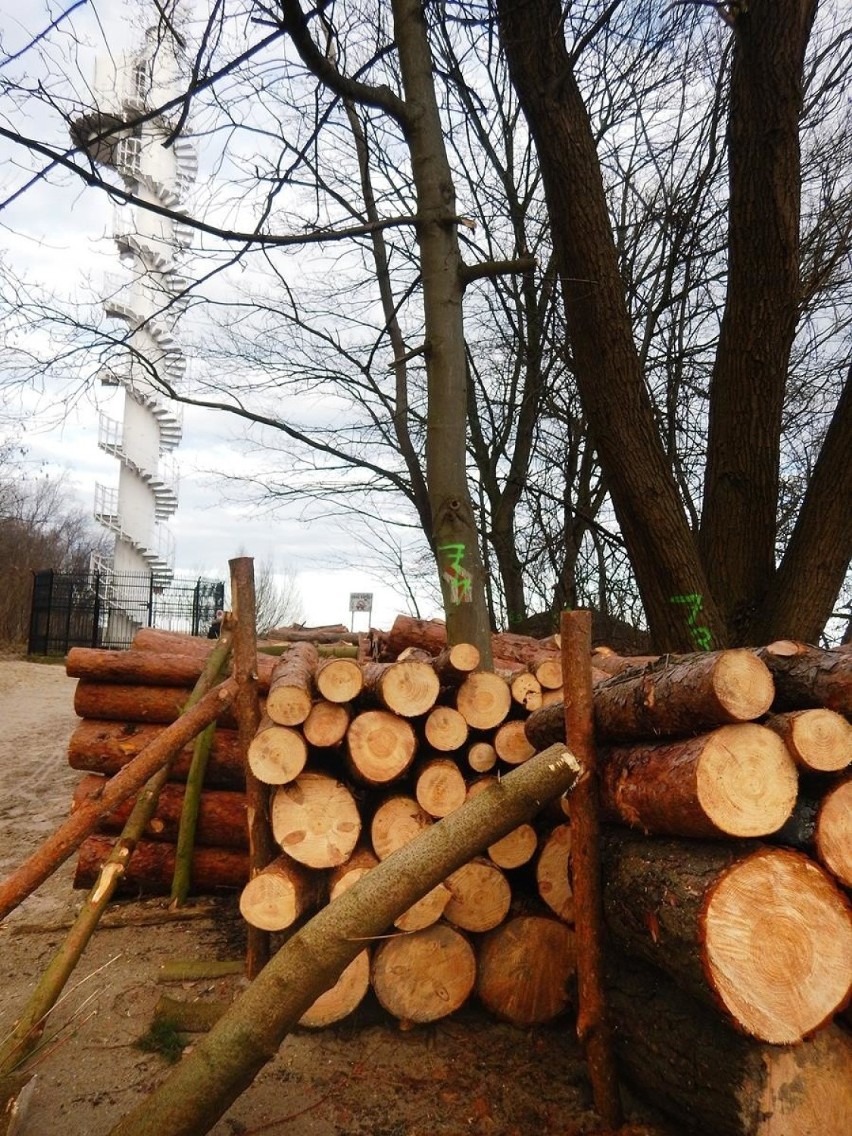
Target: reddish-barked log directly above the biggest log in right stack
column 739, row 781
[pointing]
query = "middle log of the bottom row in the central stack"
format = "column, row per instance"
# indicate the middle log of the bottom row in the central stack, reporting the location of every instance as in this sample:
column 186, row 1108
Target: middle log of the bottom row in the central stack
column 424, row 976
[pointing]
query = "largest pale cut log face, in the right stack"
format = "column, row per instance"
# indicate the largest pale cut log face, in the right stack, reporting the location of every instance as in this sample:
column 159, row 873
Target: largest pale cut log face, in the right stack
column 779, row 946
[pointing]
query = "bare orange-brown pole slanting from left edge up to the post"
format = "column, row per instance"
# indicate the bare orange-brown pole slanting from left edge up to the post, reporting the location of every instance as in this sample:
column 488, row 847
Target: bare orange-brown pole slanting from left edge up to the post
column 56, row 850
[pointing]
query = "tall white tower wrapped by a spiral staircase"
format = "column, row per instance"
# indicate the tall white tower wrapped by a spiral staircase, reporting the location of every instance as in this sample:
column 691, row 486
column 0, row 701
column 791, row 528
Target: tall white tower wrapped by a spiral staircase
column 146, row 297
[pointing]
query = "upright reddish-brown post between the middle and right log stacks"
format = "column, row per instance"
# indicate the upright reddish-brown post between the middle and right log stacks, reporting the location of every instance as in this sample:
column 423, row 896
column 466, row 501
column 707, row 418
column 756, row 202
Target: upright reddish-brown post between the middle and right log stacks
column 592, row 1025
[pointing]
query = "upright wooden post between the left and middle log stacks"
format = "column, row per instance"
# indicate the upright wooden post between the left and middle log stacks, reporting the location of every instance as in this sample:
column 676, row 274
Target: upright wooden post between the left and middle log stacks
column 262, row 846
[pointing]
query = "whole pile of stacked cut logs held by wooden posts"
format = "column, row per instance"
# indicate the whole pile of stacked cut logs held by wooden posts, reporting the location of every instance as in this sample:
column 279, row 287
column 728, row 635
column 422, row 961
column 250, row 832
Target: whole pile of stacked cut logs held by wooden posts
column 724, row 776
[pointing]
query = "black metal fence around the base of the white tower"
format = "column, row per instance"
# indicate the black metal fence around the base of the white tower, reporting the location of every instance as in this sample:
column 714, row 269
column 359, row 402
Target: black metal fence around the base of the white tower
column 106, row 609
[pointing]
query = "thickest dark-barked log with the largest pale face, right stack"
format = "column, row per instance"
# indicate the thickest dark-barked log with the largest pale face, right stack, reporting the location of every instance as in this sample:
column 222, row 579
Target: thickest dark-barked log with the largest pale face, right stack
column 765, row 935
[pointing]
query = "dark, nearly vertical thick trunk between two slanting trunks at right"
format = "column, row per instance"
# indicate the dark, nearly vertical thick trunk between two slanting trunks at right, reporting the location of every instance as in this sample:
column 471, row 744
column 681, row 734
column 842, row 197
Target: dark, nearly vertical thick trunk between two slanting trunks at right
column 738, row 537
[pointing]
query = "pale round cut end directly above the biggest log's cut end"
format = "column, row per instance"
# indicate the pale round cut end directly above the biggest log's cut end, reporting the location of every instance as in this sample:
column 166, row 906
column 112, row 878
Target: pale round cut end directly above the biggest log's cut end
column 747, row 781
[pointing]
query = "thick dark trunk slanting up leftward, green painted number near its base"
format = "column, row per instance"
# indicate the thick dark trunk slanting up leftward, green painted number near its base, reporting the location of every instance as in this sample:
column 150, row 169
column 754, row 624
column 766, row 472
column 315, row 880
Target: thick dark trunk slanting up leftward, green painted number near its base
column 672, row 581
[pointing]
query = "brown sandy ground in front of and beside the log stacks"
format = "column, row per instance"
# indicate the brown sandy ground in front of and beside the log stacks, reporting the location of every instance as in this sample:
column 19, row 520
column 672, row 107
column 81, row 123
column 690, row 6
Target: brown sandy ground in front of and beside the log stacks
column 466, row 1075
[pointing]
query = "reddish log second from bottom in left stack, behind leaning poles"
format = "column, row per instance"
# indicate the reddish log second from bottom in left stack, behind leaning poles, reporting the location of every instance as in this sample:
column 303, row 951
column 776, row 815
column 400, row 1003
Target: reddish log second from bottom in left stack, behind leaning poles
column 221, row 821
